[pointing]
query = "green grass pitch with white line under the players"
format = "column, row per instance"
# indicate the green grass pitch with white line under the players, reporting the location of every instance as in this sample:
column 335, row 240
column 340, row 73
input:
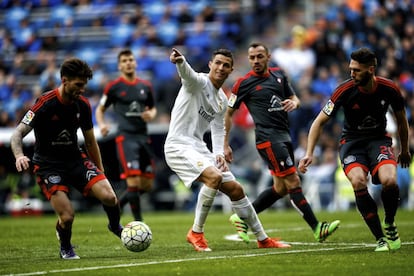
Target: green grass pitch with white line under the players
column 28, row 246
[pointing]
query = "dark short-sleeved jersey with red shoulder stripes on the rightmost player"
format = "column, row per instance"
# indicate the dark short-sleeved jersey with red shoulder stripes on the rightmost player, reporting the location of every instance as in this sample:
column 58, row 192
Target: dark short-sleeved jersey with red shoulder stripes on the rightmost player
column 365, row 112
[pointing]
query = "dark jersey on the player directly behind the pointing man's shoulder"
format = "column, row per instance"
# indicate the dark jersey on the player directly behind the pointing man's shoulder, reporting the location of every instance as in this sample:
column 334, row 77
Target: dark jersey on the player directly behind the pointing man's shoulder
column 263, row 96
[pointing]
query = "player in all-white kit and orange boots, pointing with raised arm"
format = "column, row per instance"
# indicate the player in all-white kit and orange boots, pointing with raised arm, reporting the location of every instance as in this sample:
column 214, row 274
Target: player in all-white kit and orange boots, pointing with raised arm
column 200, row 106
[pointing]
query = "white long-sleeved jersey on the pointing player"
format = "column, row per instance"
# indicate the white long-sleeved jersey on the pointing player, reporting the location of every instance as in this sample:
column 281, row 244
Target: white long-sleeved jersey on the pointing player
column 198, row 107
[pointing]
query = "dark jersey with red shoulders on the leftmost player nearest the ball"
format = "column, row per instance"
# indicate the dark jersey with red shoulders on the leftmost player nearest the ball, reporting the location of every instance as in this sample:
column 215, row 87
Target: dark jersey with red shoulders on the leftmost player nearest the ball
column 55, row 126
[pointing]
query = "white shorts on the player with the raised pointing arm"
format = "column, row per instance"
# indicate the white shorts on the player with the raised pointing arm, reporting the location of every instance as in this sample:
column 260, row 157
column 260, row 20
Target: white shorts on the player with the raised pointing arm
column 188, row 162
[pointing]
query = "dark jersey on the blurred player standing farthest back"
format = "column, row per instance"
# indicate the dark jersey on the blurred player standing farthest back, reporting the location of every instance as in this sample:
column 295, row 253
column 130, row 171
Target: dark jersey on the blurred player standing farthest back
column 129, row 100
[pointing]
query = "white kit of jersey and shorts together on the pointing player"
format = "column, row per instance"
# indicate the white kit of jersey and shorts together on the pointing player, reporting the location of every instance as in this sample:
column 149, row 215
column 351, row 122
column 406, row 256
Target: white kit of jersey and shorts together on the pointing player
column 198, row 107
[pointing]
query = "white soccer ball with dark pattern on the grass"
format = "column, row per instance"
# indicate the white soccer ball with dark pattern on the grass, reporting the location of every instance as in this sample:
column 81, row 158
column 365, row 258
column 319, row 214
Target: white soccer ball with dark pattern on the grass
column 136, row 236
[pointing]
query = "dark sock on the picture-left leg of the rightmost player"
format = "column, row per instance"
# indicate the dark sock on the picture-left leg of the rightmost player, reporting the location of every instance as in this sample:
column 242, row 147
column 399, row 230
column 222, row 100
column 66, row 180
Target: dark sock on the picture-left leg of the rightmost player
column 369, row 211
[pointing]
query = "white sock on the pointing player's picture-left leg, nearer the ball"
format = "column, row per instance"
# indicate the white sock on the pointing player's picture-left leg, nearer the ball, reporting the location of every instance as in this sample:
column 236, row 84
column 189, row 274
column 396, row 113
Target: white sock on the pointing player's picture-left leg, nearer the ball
column 205, row 200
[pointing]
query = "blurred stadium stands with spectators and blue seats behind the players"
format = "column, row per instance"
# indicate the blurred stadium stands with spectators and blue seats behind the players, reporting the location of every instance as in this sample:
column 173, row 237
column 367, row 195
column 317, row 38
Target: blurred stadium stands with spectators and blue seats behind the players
column 310, row 40
